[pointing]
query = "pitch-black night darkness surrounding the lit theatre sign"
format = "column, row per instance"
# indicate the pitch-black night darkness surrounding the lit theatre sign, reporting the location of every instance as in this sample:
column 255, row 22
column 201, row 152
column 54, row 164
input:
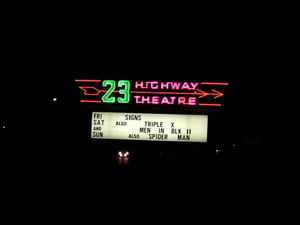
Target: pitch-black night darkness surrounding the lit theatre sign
column 49, row 164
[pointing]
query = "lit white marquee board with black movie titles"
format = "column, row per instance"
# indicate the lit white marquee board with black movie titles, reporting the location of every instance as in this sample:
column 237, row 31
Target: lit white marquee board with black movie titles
column 149, row 127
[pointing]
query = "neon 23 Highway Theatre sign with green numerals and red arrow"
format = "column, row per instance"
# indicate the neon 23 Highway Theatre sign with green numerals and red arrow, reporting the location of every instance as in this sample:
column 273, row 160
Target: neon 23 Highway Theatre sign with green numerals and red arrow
column 181, row 93
